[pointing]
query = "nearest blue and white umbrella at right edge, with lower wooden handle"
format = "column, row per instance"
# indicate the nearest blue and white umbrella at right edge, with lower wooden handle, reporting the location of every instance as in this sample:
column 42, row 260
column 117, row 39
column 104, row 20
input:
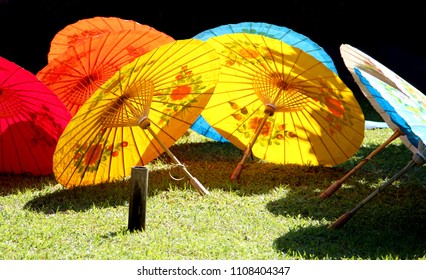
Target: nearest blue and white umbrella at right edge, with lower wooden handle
column 402, row 107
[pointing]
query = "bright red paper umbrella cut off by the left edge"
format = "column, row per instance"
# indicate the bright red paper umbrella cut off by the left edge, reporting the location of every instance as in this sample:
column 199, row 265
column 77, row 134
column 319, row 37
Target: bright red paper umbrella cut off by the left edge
column 32, row 118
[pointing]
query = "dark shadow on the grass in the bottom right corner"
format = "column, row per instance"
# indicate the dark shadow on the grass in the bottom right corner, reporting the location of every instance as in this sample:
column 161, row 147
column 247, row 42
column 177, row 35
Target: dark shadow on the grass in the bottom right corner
column 393, row 235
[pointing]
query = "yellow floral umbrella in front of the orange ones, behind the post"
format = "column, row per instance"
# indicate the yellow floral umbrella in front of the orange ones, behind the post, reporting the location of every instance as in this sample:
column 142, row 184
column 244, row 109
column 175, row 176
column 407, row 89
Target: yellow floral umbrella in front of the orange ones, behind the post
column 137, row 114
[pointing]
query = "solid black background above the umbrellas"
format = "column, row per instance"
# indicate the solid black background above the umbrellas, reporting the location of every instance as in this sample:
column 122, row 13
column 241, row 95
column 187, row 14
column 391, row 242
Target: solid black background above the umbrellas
column 390, row 33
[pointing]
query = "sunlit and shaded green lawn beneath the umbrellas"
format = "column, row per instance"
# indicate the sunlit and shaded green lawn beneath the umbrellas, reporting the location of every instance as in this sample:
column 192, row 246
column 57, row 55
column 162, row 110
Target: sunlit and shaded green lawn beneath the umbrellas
column 272, row 212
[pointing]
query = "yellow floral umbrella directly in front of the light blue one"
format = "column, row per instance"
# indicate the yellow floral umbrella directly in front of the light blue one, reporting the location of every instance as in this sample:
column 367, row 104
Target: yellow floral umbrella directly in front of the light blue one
column 281, row 104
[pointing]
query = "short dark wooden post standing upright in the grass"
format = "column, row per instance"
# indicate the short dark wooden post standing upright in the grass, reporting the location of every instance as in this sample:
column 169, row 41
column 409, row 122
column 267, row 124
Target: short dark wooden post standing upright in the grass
column 138, row 194
